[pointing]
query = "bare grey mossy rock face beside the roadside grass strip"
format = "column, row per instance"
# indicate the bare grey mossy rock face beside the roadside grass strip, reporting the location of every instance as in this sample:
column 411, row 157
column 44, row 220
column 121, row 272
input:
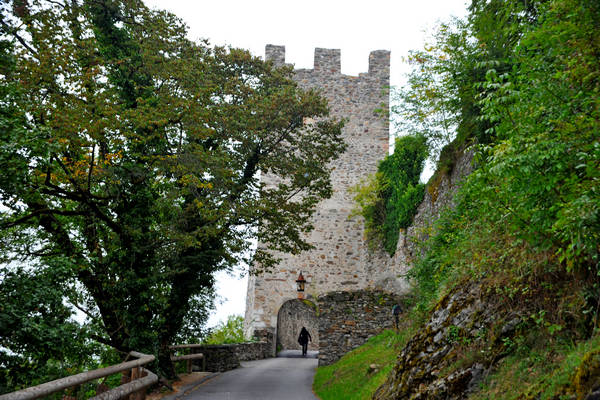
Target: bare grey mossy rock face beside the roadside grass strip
column 464, row 316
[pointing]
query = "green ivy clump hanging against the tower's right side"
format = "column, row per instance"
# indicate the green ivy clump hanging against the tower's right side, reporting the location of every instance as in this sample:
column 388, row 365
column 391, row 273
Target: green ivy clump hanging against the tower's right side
column 388, row 200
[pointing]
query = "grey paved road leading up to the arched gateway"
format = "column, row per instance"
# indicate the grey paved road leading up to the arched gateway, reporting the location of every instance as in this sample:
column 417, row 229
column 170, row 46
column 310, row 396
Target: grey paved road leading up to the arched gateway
column 288, row 377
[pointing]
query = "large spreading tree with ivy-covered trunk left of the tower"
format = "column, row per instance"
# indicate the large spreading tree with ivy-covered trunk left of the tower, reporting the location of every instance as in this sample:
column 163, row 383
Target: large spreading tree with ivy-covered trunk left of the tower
column 131, row 157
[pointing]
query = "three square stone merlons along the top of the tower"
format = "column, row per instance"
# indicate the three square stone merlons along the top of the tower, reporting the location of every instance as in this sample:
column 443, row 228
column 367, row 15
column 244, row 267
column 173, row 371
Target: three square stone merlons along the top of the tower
column 330, row 60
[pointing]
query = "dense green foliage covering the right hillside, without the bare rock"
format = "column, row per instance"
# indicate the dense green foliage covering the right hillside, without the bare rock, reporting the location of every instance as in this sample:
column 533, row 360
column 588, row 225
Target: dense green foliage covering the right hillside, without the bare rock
column 526, row 221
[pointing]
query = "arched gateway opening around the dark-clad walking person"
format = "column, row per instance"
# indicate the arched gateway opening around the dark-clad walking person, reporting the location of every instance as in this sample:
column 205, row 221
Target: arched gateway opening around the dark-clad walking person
column 292, row 316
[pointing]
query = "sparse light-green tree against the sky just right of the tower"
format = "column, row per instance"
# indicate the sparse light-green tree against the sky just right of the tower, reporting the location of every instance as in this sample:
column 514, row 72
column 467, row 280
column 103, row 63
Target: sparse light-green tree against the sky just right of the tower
column 439, row 100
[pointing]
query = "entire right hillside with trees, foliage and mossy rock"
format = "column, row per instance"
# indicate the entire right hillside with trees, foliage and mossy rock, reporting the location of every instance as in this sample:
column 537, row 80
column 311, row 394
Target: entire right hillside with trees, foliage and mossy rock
column 506, row 272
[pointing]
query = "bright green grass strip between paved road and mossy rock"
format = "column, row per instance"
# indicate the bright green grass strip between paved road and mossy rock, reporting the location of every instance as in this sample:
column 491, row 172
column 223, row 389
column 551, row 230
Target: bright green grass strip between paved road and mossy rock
column 349, row 378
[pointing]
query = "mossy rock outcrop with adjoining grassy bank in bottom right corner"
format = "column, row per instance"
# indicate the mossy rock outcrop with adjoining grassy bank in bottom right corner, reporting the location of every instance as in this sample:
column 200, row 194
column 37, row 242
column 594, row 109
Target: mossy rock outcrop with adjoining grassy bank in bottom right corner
column 474, row 335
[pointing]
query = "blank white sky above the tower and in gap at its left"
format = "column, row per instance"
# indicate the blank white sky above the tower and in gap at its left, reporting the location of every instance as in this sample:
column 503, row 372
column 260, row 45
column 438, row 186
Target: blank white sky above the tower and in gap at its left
column 355, row 27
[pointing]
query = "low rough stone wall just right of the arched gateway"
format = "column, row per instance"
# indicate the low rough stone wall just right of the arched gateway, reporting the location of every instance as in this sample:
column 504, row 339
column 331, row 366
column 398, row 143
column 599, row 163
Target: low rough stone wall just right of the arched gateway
column 348, row 319
